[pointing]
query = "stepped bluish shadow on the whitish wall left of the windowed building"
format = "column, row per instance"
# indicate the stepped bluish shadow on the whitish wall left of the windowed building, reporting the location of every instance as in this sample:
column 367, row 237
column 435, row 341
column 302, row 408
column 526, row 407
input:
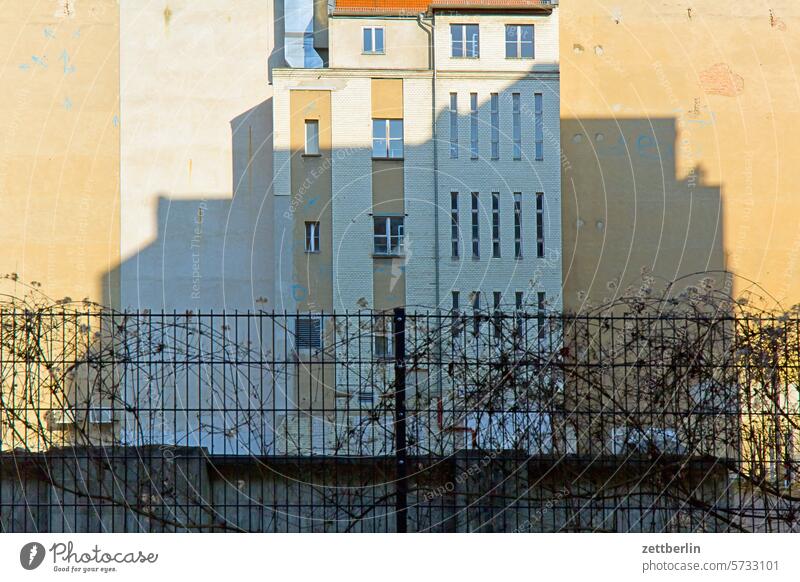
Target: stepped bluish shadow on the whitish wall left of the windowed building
column 210, row 252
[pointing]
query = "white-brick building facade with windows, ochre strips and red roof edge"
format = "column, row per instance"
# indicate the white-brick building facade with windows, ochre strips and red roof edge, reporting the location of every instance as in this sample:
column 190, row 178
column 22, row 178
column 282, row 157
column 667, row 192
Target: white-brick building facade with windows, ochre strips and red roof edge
column 421, row 168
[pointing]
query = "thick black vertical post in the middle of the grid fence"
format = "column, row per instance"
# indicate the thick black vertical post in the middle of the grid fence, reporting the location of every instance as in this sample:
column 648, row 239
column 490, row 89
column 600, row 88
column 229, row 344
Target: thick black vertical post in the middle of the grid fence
column 401, row 510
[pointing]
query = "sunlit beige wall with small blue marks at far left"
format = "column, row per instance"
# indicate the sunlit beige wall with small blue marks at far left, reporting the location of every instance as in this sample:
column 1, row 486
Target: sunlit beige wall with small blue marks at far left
column 59, row 145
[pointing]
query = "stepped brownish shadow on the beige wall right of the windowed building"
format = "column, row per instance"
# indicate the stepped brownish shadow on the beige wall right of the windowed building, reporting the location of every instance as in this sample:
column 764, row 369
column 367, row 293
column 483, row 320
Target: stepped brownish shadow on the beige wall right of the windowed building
column 626, row 212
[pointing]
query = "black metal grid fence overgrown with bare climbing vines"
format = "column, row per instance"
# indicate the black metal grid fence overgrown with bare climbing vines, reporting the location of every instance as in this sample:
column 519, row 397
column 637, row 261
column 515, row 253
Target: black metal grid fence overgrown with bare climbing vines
column 479, row 421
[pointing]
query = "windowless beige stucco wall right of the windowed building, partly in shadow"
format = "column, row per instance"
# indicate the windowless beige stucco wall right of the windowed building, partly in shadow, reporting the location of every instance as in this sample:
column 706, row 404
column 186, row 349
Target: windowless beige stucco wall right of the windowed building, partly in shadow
column 713, row 82
